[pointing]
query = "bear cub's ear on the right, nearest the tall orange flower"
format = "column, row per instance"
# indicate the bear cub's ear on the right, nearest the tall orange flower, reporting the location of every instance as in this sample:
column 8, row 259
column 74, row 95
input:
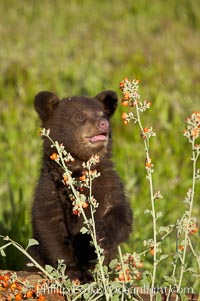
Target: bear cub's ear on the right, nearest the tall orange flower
column 109, row 99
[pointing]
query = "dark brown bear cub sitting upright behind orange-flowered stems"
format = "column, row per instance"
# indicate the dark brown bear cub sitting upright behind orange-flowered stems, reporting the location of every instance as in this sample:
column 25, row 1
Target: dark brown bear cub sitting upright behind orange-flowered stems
column 82, row 125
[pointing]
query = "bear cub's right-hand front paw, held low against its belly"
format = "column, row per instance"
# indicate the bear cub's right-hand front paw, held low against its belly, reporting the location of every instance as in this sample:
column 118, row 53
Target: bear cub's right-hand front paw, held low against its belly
column 104, row 237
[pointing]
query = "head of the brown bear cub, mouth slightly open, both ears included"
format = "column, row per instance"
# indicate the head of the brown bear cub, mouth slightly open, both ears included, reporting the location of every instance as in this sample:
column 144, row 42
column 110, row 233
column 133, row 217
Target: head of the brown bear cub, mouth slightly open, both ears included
column 82, row 124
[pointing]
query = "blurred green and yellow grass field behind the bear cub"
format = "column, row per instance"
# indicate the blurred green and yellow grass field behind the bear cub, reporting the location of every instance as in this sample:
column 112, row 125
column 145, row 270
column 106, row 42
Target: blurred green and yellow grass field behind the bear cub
column 78, row 47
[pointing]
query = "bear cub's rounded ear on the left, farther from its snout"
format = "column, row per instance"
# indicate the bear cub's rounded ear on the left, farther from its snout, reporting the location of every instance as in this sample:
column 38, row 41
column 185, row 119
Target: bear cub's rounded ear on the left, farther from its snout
column 45, row 102
